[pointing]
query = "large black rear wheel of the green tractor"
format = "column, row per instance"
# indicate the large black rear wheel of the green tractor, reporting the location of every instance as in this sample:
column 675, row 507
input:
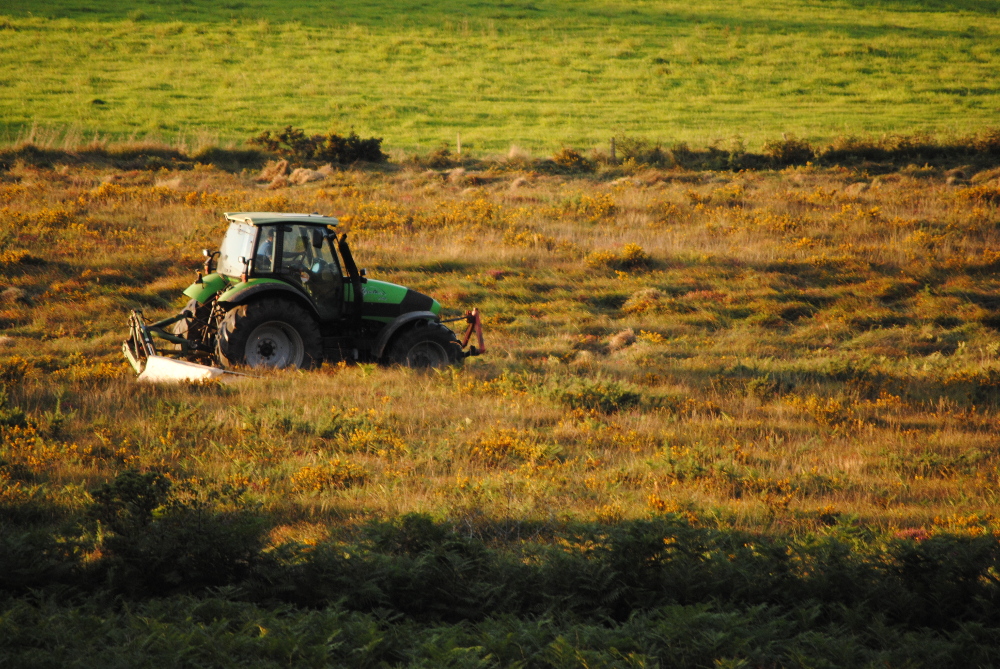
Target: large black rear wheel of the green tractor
column 270, row 332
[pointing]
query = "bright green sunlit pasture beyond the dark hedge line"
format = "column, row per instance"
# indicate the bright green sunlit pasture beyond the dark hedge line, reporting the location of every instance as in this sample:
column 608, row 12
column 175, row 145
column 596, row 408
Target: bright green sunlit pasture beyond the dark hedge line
column 537, row 74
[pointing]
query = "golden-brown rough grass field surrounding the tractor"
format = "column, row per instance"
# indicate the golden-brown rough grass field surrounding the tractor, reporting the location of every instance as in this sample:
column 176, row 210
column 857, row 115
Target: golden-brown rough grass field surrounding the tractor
column 804, row 351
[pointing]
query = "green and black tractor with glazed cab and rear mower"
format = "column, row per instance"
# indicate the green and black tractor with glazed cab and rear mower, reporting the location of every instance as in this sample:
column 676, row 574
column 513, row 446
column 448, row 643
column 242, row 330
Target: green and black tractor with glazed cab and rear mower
column 285, row 292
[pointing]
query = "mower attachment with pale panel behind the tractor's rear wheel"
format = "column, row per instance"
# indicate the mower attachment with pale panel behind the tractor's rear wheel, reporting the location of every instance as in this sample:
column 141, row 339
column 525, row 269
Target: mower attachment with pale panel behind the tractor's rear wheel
column 152, row 367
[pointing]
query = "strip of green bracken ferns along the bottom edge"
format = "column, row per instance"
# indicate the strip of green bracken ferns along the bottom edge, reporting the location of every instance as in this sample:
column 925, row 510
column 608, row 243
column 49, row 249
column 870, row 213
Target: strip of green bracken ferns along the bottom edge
column 183, row 631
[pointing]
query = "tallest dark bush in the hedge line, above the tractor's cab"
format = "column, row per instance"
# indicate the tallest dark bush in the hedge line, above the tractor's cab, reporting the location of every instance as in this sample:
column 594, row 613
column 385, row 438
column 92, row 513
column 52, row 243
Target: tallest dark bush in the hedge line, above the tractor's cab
column 293, row 143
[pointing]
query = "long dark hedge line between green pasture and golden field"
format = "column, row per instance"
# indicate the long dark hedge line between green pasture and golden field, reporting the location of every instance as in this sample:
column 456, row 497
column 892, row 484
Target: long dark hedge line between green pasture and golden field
column 887, row 153
